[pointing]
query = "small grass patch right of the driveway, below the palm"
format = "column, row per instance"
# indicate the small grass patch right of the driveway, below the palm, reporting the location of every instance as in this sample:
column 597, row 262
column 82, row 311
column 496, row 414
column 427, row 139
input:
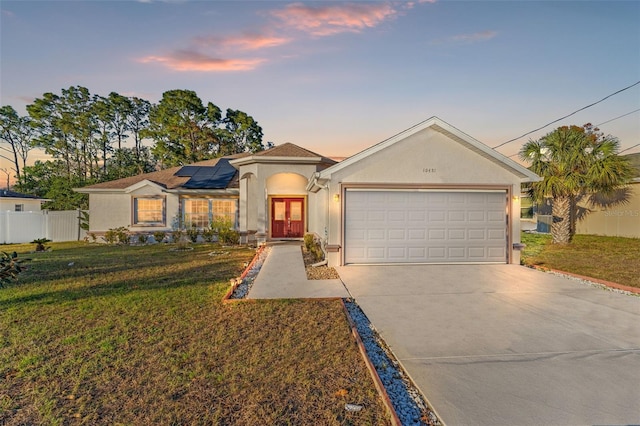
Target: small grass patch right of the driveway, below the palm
column 614, row 259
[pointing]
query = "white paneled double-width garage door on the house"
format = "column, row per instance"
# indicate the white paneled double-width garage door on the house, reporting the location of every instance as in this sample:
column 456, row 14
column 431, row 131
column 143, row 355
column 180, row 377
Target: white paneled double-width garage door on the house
column 401, row 226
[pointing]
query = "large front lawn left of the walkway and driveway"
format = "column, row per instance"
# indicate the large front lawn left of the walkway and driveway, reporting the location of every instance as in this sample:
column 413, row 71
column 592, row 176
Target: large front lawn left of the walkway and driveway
column 137, row 335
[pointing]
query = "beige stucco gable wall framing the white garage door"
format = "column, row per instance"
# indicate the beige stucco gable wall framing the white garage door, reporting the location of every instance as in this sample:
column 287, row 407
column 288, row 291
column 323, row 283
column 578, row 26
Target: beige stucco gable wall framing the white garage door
column 426, row 158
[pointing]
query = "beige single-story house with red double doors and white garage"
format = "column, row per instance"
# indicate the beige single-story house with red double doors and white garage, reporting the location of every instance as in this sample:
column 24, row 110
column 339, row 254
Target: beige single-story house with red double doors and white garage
column 430, row 194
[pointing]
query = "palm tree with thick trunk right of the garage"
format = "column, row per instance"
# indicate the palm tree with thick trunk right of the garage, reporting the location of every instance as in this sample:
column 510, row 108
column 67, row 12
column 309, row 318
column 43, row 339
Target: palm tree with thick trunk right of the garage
column 576, row 162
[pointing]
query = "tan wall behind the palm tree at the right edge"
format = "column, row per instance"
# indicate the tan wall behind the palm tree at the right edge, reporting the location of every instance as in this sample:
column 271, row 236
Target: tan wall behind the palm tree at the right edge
column 619, row 221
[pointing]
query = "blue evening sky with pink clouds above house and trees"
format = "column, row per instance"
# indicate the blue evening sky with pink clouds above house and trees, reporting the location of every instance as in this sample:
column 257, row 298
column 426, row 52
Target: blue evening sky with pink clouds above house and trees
column 337, row 77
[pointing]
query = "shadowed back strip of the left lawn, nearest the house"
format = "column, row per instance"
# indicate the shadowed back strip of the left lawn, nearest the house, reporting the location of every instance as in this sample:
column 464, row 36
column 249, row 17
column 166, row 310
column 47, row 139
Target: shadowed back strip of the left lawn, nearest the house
column 58, row 280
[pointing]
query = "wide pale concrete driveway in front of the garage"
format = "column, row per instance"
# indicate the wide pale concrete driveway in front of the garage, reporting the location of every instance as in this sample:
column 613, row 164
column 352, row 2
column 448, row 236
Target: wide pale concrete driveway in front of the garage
column 506, row 345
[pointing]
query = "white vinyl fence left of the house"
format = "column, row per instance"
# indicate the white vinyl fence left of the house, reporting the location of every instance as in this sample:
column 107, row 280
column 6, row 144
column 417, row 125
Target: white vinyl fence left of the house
column 24, row 227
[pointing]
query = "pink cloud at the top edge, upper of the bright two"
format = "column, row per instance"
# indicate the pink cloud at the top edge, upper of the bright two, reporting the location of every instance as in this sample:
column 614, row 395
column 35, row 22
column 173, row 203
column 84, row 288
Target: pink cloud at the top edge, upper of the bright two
column 334, row 19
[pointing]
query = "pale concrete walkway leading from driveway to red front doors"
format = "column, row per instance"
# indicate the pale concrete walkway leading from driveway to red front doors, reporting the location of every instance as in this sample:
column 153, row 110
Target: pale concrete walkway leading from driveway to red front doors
column 283, row 276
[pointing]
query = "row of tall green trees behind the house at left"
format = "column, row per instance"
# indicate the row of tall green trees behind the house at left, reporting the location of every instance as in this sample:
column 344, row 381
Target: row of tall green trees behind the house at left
column 85, row 134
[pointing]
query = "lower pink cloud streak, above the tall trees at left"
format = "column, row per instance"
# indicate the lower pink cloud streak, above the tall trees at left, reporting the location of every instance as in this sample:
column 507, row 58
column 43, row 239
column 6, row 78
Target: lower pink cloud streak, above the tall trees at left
column 185, row 60
